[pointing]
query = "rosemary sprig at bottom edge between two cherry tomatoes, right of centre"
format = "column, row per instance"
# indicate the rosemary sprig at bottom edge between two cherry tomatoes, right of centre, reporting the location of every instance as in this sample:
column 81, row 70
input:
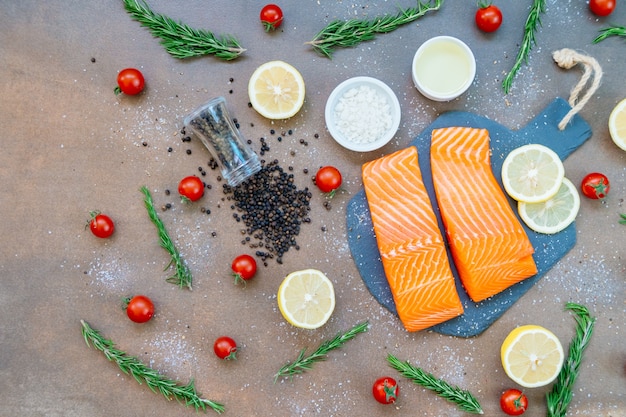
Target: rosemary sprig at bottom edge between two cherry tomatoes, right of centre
column 462, row 398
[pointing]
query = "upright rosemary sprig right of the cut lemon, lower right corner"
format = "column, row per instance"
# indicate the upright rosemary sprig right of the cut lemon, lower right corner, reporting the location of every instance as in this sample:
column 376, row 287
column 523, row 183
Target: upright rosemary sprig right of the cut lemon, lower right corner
column 561, row 394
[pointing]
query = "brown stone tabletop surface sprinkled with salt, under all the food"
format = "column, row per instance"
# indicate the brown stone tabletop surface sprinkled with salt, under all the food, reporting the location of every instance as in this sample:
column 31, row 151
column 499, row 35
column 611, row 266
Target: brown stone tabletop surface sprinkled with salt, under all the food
column 69, row 146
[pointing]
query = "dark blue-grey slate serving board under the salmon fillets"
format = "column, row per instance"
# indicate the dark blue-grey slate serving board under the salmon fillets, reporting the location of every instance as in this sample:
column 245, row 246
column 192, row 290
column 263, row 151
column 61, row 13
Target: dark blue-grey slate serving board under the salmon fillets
column 549, row 249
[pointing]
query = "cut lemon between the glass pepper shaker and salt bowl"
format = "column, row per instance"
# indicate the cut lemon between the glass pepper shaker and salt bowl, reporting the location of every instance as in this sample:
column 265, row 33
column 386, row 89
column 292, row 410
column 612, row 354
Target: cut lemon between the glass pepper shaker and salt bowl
column 276, row 90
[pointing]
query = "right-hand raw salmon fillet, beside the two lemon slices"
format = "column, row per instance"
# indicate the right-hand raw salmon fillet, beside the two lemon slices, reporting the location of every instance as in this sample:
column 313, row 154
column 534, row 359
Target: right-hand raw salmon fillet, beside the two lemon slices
column 490, row 248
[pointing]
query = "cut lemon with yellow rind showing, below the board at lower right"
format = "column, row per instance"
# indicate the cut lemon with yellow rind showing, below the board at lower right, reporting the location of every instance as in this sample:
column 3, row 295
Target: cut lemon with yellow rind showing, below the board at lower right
column 532, row 356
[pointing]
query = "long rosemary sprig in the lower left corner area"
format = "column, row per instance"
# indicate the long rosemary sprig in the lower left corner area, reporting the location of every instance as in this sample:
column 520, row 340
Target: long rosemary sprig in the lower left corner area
column 130, row 365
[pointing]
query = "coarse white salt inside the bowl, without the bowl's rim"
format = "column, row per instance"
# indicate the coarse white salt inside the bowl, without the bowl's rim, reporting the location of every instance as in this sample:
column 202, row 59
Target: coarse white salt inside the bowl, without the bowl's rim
column 363, row 115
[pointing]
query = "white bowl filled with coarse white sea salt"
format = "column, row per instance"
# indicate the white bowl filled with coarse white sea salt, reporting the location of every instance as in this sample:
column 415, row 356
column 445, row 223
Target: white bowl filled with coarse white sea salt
column 362, row 114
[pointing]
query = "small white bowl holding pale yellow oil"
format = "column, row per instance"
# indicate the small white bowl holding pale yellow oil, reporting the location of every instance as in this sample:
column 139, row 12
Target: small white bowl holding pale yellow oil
column 443, row 68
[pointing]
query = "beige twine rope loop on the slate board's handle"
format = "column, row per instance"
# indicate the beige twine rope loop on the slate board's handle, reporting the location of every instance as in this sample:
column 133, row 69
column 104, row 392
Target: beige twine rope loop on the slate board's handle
column 568, row 58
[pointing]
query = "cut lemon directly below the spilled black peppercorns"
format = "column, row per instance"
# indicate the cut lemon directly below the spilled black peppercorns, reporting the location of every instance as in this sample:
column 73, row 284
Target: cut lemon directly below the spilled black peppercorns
column 306, row 298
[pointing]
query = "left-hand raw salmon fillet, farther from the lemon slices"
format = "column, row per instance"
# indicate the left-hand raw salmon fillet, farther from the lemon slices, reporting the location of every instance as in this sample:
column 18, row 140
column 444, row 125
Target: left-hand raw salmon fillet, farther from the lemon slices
column 411, row 246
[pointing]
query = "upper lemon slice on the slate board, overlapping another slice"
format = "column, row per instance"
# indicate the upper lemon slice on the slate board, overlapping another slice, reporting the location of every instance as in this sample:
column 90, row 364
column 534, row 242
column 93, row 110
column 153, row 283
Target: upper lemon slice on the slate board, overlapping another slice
column 532, row 173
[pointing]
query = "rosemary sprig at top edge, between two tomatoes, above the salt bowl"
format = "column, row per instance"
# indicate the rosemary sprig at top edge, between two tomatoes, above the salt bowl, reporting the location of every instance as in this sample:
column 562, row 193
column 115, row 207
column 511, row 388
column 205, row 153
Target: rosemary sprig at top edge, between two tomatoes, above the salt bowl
column 347, row 33
